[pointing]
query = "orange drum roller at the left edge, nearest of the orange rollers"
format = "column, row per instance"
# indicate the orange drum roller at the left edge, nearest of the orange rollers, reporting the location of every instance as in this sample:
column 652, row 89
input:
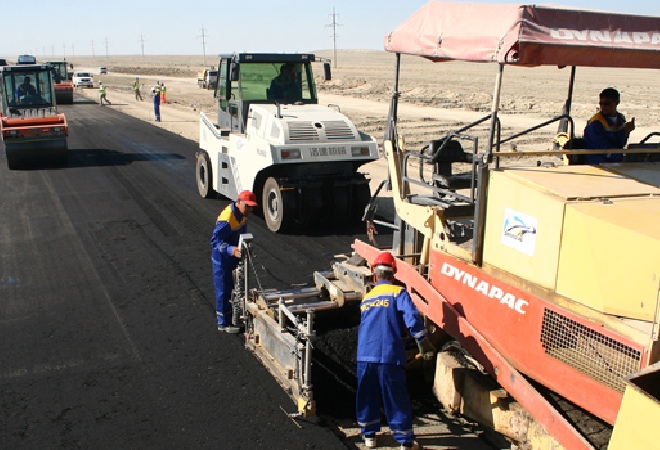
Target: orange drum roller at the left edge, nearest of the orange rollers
column 33, row 132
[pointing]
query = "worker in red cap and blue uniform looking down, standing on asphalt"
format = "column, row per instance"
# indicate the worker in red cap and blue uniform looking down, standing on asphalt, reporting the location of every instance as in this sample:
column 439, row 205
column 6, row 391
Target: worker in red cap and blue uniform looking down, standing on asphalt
column 231, row 223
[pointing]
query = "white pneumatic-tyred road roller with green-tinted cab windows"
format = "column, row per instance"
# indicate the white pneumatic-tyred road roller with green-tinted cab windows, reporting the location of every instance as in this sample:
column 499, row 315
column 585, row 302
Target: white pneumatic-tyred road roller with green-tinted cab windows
column 300, row 158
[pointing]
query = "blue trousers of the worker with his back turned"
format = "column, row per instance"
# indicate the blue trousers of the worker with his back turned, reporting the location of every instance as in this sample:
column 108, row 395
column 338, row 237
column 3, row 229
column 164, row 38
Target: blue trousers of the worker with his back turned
column 384, row 385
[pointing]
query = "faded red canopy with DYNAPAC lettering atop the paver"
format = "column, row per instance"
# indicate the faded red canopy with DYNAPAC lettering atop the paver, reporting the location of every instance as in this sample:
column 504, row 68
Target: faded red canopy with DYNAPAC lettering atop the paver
column 528, row 35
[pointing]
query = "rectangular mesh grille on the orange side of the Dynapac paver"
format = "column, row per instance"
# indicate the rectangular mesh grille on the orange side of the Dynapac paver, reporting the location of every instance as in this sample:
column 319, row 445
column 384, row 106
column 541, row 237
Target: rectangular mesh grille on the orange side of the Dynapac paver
column 600, row 357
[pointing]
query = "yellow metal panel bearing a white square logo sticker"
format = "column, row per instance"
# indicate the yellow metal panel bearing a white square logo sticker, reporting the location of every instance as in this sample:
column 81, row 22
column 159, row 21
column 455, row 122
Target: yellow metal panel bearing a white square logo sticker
column 530, row 248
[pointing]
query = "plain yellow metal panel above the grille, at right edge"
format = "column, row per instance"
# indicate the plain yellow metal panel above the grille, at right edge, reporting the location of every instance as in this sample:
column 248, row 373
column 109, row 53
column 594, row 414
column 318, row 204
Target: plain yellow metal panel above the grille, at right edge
column 610, row 256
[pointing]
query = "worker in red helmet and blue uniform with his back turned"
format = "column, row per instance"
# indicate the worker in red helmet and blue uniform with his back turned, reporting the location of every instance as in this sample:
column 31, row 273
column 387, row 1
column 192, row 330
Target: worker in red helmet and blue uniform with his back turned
column 386, row 312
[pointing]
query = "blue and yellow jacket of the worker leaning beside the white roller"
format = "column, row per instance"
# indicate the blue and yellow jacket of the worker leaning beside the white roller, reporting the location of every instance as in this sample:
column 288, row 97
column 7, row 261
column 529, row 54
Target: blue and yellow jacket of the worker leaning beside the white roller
column 228, row 227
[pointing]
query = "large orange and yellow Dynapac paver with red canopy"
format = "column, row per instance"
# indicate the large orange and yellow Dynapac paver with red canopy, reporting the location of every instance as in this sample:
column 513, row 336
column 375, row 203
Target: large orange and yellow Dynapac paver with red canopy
column 544, row 276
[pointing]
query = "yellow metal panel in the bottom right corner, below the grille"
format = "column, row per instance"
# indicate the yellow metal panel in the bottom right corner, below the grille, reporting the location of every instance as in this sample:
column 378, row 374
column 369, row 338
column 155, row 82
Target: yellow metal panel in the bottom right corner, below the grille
column 637, row 421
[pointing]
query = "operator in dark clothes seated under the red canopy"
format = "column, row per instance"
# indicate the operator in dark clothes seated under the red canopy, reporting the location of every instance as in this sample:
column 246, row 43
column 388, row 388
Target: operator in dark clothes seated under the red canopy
column 607, row 129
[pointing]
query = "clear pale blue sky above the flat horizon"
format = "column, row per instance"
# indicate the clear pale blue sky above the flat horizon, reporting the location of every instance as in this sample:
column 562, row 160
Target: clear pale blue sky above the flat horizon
column 174, row 27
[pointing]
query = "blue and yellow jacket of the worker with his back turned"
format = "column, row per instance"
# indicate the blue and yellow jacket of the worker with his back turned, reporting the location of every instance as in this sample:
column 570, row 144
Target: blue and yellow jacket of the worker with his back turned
column 386, row 311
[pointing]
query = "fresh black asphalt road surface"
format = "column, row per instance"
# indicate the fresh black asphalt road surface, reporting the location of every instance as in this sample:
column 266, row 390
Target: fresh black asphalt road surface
column 107, row 323
